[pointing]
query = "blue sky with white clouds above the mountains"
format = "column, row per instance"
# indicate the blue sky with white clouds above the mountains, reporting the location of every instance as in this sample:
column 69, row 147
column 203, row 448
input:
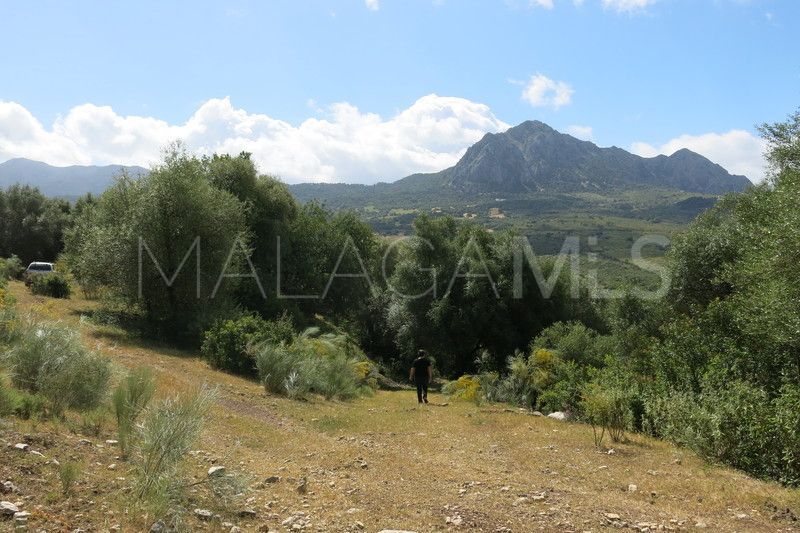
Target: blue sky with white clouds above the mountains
column 362, row 91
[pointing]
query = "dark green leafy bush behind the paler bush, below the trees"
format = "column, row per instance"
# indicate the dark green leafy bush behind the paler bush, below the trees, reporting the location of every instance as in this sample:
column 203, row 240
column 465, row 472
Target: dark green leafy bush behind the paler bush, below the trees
column 225, row 344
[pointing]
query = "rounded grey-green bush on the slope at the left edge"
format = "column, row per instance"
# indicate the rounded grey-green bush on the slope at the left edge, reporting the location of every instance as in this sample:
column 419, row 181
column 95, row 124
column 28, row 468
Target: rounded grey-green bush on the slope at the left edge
column 50, row 359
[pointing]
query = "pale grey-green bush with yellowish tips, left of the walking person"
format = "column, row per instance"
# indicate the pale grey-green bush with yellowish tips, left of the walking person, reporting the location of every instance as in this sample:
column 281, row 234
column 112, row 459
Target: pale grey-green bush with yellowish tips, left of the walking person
column 312, row 363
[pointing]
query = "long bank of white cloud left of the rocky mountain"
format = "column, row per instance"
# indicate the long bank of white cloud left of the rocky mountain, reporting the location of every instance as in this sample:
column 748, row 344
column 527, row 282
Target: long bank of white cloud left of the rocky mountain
column 346, row 145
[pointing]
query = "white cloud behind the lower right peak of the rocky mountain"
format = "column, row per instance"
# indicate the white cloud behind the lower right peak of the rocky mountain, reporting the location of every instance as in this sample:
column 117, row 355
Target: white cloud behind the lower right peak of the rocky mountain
column 738, row 151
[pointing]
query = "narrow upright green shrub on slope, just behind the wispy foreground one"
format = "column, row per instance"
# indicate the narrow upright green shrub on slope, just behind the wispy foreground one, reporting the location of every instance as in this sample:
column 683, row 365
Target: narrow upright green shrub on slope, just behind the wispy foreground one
column 130, row 398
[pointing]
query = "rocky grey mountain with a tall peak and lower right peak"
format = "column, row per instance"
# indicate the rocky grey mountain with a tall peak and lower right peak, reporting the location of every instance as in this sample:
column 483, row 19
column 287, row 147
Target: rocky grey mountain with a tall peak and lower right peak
column 533, row 157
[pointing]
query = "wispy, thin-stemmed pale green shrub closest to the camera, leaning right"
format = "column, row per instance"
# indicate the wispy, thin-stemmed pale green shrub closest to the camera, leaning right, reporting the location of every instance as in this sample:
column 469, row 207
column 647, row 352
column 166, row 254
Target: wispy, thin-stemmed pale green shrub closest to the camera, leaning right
column 167, row 433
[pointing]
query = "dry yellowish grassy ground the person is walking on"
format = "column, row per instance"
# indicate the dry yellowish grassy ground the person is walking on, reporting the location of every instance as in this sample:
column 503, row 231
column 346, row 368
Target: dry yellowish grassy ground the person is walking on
column 375, row 463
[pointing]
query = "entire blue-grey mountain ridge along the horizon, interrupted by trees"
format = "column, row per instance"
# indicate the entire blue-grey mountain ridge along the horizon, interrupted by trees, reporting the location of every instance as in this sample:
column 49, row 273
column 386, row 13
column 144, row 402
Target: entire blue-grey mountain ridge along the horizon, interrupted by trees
column 531, row 157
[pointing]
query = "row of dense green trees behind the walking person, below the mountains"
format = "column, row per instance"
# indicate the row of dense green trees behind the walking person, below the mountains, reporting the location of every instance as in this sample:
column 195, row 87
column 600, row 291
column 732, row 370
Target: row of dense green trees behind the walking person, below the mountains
column 210, row 219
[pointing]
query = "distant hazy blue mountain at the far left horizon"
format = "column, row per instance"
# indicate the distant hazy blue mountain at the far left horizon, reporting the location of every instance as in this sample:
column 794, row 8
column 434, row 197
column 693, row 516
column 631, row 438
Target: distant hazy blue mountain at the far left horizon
column 69, row 181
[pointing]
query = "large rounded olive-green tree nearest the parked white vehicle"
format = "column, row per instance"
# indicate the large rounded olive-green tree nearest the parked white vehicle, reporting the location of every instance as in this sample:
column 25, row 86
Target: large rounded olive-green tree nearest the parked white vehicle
column 172, row 219
